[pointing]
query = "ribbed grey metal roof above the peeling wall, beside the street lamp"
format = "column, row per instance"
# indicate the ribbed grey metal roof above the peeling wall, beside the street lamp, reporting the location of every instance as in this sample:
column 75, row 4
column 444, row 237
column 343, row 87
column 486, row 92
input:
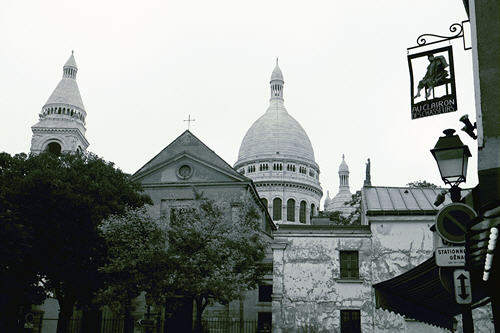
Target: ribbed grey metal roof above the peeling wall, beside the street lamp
column 402, row 200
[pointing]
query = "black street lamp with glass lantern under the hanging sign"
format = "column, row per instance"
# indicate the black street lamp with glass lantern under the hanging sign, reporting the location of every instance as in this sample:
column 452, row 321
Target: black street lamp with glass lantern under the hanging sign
column 451, row 156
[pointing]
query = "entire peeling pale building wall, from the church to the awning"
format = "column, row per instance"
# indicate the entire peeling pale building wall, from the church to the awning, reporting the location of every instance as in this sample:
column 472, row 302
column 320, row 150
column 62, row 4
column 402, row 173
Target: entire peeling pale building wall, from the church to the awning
column 308, row 291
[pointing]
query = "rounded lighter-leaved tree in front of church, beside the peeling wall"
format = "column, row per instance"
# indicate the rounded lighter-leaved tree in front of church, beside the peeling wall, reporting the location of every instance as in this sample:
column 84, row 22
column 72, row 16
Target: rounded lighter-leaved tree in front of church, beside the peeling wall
column 213, row 258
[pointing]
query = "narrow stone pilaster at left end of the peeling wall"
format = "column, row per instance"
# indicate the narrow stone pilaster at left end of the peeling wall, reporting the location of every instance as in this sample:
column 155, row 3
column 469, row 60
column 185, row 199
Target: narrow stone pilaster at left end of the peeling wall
column 277, row 296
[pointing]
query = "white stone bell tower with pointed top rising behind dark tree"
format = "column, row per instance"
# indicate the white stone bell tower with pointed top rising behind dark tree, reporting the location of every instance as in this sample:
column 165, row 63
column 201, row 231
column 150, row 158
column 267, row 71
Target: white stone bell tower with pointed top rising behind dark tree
column 61, row 125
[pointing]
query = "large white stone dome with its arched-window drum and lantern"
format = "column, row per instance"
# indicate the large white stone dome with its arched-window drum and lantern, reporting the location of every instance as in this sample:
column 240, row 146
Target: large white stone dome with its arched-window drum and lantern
column 277, row 155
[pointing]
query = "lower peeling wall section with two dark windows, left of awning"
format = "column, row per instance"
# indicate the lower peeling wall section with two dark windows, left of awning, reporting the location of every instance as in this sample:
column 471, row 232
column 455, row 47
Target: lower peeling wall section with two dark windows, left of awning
column 308, row 293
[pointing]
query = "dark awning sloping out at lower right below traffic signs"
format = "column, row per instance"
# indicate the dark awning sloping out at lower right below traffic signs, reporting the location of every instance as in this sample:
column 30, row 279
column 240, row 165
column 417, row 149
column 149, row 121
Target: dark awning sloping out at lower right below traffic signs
column 420, row 295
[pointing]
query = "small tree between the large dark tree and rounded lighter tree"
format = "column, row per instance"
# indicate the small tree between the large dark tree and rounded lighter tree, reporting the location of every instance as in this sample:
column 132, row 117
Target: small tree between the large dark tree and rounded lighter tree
column 136, row 259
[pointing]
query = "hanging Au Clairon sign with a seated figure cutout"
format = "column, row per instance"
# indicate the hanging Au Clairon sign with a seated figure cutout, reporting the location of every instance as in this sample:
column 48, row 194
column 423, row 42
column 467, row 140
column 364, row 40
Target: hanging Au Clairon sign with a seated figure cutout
column 432, row 80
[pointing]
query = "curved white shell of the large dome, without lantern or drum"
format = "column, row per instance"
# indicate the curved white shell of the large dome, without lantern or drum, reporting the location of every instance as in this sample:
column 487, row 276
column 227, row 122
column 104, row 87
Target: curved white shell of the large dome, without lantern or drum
column 276, row 134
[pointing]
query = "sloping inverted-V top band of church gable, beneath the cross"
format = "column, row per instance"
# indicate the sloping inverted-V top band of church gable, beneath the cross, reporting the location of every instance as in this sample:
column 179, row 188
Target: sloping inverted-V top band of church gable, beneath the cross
column 188, row 143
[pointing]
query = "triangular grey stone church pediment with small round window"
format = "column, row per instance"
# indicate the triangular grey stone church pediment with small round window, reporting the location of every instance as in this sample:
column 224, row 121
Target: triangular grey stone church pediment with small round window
column 187, row 160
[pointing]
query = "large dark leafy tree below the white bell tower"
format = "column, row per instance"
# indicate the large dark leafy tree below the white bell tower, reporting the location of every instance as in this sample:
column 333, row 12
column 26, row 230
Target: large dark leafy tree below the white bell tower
column 59, row 202
